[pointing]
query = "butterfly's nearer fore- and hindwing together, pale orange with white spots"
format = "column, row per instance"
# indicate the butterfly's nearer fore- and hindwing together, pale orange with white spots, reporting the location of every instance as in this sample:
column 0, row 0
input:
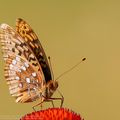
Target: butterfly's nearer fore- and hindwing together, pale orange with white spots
column 23, row 72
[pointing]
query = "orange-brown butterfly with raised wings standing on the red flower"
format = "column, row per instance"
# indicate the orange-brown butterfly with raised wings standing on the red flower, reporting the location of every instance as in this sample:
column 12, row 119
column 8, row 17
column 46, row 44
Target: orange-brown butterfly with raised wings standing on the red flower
column 27, row 70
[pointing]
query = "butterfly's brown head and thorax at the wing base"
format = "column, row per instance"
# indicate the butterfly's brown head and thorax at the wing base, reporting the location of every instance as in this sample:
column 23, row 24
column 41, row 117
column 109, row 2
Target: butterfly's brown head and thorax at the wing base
column 51, row 87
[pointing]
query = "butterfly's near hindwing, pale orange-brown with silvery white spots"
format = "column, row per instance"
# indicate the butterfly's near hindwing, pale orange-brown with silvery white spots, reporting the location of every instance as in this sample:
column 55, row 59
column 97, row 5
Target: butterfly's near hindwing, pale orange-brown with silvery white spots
column 24, row 82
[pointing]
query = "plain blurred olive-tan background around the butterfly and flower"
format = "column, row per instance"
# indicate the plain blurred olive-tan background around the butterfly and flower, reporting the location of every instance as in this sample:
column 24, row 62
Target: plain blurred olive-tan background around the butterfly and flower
column 70, row 30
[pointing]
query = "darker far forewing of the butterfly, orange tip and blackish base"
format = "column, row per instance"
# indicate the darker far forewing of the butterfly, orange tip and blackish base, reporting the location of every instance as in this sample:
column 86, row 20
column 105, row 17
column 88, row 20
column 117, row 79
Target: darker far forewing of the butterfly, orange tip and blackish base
column 32, row 40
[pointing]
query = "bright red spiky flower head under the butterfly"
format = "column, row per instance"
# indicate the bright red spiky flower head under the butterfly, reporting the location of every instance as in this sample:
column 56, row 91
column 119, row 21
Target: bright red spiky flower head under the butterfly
column 53, row 114
